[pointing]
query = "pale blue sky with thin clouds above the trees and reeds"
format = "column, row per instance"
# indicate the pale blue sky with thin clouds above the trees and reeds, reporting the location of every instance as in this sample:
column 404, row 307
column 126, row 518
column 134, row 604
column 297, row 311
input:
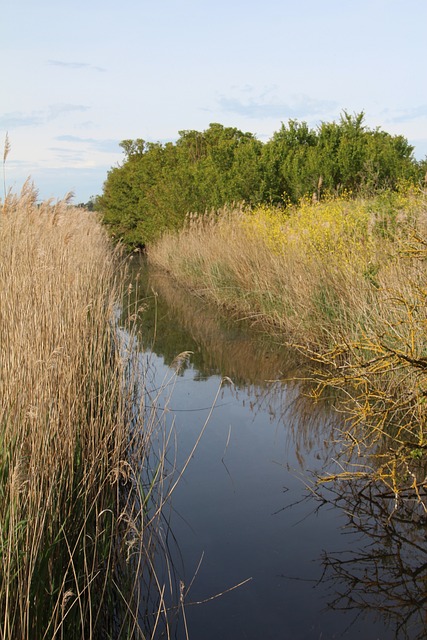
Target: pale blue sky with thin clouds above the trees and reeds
column 79, row 76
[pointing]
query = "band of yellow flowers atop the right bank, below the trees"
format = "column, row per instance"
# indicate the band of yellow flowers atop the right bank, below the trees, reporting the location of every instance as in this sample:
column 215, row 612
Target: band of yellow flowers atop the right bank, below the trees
column 334, row 226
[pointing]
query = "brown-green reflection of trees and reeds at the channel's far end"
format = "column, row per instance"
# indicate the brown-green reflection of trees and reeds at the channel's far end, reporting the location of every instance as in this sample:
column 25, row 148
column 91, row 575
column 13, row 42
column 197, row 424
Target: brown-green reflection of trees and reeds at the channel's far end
column 174, row 321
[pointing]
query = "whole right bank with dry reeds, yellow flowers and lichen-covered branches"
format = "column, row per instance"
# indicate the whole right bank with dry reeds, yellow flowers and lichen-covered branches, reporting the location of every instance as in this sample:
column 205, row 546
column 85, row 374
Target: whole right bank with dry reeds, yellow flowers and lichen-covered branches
column 344, row 281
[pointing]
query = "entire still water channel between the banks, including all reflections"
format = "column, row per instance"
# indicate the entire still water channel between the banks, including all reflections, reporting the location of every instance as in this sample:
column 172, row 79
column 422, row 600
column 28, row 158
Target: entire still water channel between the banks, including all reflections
column 310, row 567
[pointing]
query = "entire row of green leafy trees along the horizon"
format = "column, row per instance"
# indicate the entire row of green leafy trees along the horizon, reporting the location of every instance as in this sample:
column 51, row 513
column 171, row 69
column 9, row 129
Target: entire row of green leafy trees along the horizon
column 158, row 184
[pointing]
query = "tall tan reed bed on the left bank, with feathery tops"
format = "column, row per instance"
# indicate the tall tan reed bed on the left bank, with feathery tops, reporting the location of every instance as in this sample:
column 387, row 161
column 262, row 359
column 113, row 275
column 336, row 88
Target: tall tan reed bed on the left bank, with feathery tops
column 81, row 480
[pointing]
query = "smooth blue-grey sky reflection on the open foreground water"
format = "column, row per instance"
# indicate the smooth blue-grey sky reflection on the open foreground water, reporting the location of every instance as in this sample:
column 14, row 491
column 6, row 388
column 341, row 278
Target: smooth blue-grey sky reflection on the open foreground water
column 233, row 507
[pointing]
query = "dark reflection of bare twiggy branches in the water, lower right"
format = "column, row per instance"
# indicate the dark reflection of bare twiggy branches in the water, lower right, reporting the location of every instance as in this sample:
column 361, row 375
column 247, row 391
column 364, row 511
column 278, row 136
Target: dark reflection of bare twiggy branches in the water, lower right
column 389, row 575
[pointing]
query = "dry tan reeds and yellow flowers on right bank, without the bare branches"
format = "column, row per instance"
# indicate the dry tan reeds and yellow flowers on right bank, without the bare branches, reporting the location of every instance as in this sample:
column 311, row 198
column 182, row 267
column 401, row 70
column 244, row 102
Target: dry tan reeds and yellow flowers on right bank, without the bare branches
column 310, row 272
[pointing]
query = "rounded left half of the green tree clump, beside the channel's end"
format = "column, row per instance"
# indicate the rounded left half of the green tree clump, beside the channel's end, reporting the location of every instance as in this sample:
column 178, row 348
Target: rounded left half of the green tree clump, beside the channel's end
column 158, row 184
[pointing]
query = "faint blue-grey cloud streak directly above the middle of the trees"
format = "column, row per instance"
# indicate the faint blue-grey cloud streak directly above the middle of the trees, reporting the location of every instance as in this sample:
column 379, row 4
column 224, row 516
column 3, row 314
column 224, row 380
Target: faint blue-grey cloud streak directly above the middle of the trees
column 262, row 107
